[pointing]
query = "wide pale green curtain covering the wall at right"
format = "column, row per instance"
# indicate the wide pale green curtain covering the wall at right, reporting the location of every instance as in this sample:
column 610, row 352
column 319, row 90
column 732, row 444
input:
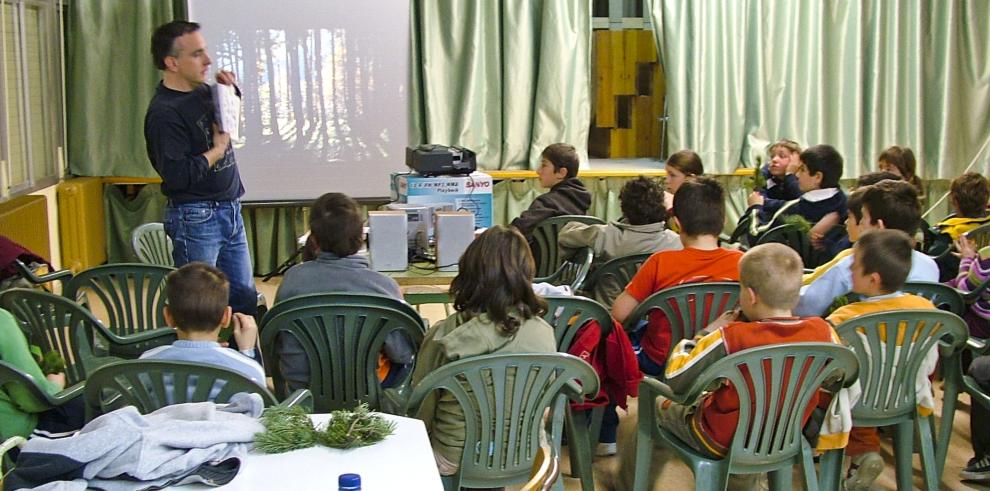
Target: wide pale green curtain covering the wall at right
column 858, row 74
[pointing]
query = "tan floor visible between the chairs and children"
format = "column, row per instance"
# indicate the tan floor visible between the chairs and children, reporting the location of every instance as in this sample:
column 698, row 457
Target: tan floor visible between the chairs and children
column 676, row 476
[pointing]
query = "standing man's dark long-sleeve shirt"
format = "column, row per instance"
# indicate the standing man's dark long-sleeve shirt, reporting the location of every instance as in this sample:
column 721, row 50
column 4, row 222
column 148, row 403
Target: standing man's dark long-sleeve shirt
column 178, row 129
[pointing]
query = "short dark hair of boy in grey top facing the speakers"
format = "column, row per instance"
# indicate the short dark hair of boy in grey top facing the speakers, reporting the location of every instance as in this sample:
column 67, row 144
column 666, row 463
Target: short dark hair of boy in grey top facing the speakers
column 335, row 220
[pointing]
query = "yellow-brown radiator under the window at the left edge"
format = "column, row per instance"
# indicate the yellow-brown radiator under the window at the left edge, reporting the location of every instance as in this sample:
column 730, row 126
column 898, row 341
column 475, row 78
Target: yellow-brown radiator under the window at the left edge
column 24, row 220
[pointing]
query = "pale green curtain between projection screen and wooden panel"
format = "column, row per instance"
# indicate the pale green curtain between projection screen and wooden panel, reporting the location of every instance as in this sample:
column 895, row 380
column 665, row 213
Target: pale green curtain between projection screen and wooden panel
column 504, row 78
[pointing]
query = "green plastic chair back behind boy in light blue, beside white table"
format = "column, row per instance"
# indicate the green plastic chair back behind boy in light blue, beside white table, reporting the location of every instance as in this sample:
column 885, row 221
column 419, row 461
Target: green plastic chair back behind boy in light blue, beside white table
column 144, row 384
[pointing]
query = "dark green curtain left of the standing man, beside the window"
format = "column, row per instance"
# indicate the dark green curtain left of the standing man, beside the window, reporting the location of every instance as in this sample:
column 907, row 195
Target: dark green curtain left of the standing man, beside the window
column 109, row 80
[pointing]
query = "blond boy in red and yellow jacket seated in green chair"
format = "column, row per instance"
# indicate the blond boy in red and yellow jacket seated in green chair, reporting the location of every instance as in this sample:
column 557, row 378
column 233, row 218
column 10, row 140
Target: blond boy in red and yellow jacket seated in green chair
column 769, row 279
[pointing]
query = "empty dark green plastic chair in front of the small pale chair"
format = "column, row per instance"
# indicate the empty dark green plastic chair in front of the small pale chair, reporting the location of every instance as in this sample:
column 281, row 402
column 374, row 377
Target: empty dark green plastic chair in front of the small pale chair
column 132, row 296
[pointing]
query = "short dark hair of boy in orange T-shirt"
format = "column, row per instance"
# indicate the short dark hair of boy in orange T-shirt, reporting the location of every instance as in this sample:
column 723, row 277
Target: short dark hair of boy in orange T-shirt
column 699, row 206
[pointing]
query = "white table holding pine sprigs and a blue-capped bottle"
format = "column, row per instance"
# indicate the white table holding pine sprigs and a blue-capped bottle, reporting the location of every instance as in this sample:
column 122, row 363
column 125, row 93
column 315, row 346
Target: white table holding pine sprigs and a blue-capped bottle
column 404, row 460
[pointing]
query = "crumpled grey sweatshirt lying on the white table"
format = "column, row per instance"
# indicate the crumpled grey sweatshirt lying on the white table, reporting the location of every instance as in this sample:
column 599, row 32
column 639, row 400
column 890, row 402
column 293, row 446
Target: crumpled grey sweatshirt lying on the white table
column 124, row 450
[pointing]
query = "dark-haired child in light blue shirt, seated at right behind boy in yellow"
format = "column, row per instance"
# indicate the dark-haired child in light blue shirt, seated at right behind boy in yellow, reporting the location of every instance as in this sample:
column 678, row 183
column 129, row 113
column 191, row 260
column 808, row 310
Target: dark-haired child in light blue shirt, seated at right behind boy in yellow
column 884, row 205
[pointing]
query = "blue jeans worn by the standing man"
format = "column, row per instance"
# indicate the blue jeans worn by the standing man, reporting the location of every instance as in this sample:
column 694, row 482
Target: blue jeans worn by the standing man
column 213, row 232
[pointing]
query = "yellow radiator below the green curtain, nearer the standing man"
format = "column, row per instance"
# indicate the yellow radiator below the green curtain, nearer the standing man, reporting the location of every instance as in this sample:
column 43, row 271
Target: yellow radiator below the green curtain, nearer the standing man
column 81, row 223
